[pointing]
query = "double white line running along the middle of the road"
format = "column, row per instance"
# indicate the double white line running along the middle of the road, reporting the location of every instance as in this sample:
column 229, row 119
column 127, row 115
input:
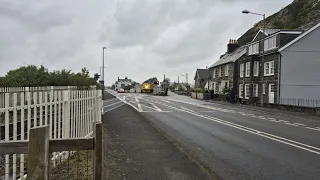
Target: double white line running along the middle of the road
column 259, row 133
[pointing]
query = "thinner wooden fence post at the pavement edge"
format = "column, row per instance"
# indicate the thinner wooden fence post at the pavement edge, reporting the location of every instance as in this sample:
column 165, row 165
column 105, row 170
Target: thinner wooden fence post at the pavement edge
column 97, row 151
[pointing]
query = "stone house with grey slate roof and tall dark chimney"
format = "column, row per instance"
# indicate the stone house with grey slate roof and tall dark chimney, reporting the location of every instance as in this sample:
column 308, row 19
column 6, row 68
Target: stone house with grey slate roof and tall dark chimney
column 224, row 73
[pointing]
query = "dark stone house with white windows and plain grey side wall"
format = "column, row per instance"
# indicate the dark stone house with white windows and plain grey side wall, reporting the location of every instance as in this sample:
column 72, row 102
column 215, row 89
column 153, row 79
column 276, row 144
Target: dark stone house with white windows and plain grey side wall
column 280, row 65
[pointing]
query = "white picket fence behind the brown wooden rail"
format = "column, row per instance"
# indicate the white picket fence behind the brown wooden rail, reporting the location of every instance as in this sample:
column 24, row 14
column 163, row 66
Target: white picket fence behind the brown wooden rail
column 69, row 114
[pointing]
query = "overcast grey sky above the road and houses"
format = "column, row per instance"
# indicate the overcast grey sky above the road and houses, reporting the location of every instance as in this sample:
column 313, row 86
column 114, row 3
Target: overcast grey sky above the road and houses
column 144, row 38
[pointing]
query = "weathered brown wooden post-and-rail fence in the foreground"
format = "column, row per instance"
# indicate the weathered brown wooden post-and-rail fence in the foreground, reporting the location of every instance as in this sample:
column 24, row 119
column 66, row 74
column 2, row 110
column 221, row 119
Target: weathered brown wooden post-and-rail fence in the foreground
column 40, row 148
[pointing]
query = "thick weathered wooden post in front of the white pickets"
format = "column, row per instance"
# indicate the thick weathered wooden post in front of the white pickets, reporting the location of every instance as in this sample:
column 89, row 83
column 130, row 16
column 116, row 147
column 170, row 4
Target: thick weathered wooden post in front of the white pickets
column 38, row 153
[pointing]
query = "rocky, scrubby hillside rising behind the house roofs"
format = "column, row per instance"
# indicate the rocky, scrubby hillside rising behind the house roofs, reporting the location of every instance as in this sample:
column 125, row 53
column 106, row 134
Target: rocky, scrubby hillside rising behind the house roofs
column 296, row 15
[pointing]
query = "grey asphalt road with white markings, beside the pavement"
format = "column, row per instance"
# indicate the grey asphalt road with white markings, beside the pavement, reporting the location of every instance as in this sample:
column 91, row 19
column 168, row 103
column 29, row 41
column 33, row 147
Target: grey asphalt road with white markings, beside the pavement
column 235, row 143
